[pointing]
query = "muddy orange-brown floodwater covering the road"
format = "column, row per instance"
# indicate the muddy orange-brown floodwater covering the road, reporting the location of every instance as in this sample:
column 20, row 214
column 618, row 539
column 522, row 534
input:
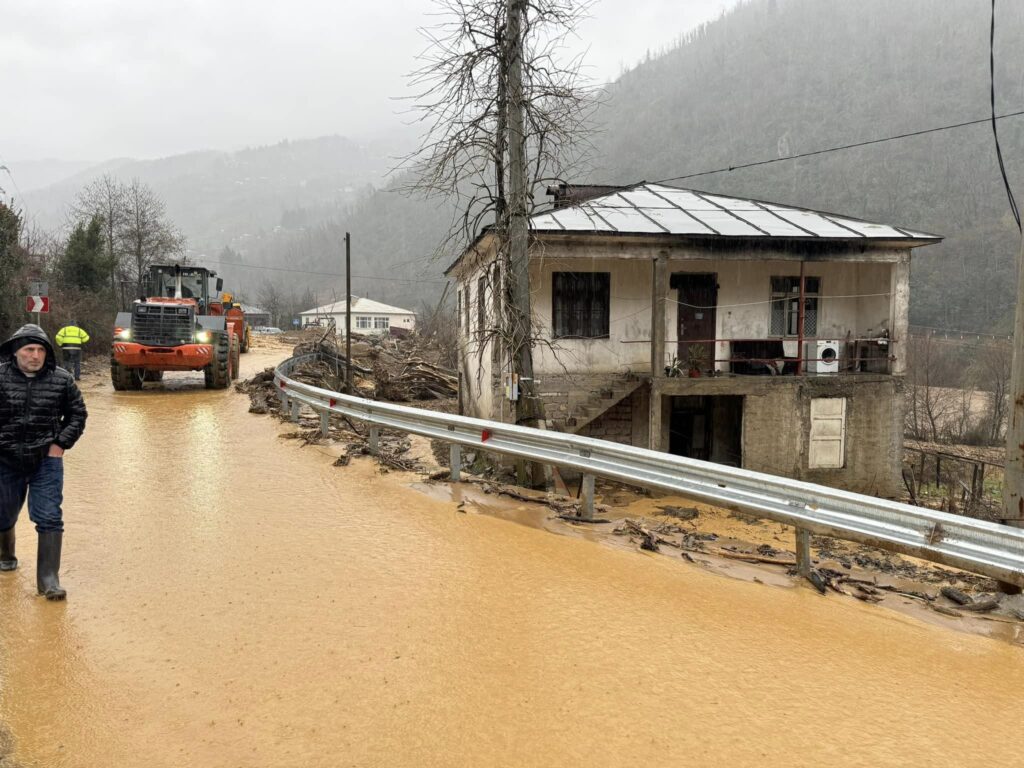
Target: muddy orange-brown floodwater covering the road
column 235, row 601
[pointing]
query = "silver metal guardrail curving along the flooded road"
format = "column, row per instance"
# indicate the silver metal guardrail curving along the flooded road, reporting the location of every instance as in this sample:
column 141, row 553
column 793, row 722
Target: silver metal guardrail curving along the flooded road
column 978, row 546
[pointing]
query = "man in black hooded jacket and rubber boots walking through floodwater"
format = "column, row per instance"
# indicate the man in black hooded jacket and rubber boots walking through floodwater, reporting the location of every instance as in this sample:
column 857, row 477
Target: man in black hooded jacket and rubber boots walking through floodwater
column 42, row 415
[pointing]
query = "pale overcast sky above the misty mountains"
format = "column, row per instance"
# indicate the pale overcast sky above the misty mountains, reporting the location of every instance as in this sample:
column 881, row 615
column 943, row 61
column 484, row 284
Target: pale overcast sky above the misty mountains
column 96, row 79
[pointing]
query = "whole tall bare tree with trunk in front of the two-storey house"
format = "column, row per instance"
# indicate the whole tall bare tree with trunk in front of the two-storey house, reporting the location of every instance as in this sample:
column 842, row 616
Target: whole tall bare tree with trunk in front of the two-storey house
column 505, row 115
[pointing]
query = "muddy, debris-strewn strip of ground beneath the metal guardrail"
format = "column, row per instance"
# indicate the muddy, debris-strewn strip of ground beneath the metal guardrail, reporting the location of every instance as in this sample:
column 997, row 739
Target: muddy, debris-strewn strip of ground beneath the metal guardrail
column 735, row 545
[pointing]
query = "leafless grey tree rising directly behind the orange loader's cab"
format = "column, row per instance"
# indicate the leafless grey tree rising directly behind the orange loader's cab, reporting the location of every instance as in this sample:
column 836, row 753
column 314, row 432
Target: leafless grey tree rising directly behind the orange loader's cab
column 147, row 236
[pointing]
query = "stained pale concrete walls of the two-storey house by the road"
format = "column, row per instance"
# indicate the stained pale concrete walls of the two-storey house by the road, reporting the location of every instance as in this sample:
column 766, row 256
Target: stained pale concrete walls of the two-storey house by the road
column 858, row 300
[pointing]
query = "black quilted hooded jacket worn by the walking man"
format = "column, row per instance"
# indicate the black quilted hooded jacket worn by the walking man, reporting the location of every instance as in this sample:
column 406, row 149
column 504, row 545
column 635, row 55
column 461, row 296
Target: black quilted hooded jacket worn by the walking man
column 36, row 412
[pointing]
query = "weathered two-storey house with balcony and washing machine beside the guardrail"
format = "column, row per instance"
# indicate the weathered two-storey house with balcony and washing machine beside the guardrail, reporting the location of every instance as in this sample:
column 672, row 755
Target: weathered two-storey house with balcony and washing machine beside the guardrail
column 729, row 330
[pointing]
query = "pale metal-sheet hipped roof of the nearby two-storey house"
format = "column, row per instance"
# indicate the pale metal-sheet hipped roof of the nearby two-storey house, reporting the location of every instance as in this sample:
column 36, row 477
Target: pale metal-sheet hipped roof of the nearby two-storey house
column 658, row 209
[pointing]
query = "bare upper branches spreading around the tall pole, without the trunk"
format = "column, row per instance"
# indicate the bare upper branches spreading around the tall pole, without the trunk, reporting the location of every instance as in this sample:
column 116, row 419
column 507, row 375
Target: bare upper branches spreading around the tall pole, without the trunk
column 464, row 101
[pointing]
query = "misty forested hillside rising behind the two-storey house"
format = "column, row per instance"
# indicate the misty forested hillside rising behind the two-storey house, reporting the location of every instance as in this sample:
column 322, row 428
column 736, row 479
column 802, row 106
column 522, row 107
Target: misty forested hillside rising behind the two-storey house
column 783, row 77
